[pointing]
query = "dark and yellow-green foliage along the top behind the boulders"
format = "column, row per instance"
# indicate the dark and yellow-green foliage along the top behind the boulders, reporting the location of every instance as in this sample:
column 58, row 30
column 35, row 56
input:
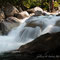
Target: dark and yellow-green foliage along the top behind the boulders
column 30, row 3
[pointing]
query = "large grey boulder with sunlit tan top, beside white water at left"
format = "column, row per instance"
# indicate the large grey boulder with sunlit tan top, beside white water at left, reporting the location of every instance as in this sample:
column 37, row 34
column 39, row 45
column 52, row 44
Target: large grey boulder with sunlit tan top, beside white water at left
column 7, row 25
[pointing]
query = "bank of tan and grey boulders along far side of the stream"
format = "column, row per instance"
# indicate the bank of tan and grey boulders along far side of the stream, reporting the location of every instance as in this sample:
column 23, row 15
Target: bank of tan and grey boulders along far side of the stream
column 11, row 17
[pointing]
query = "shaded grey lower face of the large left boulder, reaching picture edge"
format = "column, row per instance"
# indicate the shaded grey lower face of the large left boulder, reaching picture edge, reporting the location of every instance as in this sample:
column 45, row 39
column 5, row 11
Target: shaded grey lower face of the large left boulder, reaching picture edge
column 7, row 26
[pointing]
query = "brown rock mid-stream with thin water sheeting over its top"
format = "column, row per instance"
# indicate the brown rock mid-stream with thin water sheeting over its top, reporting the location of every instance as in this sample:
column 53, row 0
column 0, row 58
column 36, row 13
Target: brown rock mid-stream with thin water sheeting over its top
column 33, row 22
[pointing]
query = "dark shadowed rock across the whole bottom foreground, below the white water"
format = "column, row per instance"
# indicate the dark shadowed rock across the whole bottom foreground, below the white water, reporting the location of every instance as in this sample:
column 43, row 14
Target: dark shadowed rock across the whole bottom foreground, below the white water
column 44, row 47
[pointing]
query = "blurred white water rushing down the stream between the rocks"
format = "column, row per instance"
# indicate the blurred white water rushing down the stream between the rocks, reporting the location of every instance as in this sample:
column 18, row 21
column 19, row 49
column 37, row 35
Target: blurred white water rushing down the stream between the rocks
column 22, row 34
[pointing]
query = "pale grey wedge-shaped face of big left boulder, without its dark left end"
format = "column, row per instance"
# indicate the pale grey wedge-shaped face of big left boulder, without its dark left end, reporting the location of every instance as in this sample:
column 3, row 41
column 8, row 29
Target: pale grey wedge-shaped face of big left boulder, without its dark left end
column 10, row 25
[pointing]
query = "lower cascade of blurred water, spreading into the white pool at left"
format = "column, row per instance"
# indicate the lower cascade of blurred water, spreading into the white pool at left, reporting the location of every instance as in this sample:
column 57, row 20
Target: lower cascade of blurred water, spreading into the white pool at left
column 17, row 37
